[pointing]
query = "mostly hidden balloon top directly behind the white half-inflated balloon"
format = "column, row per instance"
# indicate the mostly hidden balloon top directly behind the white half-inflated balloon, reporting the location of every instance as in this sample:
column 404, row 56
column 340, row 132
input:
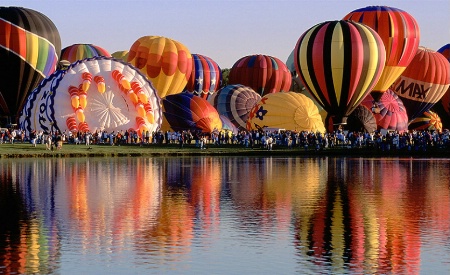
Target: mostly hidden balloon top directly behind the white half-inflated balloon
column 76, row 52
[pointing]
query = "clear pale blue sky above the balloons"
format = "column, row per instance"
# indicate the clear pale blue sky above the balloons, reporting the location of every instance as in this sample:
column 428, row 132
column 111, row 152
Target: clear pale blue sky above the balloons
column 224, row 30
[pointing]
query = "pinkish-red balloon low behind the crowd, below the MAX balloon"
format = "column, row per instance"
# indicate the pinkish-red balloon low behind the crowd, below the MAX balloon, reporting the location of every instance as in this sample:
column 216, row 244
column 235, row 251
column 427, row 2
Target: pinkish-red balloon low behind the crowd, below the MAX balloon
column 390, row 113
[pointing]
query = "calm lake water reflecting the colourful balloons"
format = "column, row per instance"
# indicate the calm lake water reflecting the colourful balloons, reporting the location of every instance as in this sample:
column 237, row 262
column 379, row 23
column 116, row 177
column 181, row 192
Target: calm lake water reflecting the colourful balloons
column 225, row 215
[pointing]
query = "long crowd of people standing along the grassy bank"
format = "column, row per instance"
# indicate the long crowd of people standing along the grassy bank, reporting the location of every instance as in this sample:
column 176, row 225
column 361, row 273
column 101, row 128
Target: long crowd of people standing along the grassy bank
column 390, row 140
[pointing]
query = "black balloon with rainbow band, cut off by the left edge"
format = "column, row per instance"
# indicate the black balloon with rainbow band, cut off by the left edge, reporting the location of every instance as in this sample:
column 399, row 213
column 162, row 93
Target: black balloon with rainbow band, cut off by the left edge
column 29, row 49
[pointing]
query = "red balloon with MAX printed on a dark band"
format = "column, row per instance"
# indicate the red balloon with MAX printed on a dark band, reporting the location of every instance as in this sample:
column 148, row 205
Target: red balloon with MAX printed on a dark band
column 424, row 82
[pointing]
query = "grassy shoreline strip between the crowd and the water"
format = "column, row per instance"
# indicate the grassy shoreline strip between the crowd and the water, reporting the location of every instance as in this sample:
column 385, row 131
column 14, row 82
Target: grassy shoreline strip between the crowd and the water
column 26, row 150
